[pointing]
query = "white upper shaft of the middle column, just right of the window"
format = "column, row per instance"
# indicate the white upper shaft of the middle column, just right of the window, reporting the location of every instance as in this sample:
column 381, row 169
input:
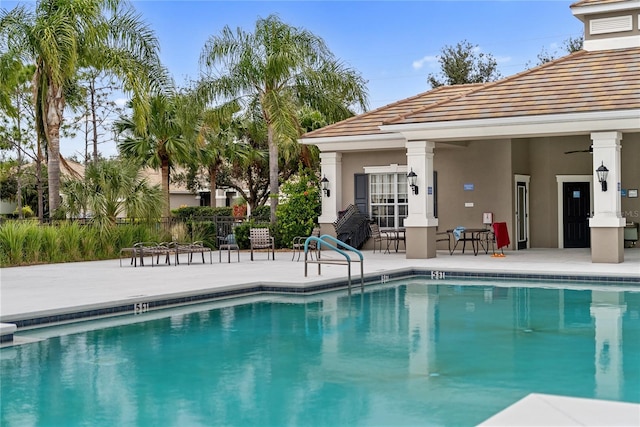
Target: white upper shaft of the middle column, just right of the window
column 420, row 160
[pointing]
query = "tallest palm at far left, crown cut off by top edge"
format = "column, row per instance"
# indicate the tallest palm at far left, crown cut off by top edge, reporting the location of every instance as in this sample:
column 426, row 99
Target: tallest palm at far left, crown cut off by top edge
column 61, row 37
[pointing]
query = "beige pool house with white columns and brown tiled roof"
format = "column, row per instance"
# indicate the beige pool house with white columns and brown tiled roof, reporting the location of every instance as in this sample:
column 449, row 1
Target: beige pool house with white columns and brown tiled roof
column 525, row 149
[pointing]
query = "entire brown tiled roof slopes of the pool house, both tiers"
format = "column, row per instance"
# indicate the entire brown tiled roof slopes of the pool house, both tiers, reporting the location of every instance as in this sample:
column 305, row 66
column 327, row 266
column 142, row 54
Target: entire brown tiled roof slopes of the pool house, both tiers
column 580, row 82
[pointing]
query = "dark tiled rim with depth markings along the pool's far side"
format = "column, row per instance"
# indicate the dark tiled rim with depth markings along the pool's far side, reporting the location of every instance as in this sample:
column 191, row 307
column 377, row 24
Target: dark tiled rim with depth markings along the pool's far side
column 140, row 304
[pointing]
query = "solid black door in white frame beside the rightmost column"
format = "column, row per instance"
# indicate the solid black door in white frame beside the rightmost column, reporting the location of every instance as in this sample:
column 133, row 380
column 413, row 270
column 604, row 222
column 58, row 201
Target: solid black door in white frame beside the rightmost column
column 576, row 205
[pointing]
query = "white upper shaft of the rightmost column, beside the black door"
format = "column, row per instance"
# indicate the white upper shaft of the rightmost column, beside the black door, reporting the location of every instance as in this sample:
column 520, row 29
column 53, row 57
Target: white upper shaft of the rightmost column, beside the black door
column 607, row 204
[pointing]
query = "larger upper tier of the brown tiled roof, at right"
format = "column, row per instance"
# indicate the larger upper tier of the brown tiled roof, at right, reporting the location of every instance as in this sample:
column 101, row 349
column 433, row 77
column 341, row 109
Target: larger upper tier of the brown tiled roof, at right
column 577, row 83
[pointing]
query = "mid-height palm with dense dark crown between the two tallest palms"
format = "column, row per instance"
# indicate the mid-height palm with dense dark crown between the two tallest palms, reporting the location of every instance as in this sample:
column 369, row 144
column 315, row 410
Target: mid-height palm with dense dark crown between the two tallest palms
column 167, row 139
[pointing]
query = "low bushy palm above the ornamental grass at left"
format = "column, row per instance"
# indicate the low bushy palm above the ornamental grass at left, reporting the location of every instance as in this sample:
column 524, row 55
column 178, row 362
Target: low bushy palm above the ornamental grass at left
column 111, row 188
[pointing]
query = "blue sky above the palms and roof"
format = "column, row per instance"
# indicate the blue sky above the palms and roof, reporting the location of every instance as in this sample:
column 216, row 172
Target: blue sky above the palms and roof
column 393, row 44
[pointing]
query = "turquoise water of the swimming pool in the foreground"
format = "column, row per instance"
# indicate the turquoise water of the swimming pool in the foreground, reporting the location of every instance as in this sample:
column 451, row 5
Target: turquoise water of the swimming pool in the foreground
column 412, row 352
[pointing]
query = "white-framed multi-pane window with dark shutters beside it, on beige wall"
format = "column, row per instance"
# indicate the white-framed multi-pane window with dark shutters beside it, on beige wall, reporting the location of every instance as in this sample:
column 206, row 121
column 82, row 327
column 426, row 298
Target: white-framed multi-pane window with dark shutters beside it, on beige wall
column 388, row 198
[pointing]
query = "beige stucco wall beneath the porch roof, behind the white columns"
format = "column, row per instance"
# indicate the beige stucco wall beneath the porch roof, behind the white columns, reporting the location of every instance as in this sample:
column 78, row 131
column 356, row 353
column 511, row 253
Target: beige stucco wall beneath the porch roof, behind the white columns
column 490, row 167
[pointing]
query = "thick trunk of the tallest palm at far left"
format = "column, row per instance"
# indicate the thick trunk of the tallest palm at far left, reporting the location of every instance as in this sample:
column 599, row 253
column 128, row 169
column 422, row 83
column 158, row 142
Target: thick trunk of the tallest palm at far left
column 55, row 110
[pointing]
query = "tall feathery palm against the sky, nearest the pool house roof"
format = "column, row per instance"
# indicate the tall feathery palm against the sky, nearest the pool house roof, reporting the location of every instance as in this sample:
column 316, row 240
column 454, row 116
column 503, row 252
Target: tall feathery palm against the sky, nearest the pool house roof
column 277, row 69
